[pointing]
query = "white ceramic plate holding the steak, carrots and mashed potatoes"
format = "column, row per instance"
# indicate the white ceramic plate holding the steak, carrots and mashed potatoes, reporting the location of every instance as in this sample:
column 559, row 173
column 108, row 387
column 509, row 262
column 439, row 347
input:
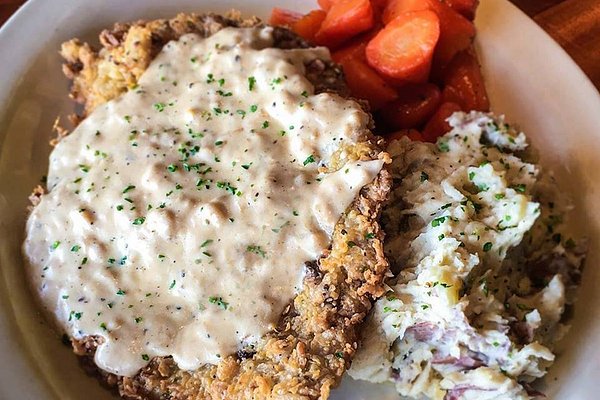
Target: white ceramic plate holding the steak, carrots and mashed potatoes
column 529, row 78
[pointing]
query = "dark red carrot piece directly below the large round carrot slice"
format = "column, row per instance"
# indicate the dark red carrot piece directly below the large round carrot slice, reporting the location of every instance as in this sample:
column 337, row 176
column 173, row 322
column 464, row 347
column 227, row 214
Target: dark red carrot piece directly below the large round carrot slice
column 414, row 106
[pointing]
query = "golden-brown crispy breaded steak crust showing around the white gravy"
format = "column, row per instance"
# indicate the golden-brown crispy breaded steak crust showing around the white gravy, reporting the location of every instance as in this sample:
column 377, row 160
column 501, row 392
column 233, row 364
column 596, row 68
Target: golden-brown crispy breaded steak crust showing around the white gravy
column 317, row 334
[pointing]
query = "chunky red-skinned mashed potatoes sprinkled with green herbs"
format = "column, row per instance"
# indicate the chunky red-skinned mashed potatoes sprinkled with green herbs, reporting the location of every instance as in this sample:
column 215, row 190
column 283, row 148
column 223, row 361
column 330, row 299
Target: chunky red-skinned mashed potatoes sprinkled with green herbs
column 484, row 267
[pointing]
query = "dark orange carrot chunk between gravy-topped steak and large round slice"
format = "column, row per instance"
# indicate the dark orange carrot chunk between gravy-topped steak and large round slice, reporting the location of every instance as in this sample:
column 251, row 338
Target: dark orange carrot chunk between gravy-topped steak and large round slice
column 366, row 84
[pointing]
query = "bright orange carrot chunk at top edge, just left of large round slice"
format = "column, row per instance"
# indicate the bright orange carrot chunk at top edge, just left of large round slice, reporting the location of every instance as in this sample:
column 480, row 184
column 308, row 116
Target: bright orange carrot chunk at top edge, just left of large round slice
column 345, row 19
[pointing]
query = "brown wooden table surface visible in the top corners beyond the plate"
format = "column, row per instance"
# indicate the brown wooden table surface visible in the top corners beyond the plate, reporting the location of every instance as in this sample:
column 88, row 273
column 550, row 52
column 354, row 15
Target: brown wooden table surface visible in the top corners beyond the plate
column 574, row 24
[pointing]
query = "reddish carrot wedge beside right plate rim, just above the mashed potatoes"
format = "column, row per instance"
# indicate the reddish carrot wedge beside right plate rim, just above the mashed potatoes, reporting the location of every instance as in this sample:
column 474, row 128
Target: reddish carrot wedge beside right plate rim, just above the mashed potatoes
column 464, row 83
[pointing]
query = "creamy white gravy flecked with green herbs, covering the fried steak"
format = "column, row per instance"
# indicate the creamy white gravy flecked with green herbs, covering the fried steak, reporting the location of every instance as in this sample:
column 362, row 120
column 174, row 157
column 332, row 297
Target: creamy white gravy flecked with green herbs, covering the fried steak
column 179, row 216
